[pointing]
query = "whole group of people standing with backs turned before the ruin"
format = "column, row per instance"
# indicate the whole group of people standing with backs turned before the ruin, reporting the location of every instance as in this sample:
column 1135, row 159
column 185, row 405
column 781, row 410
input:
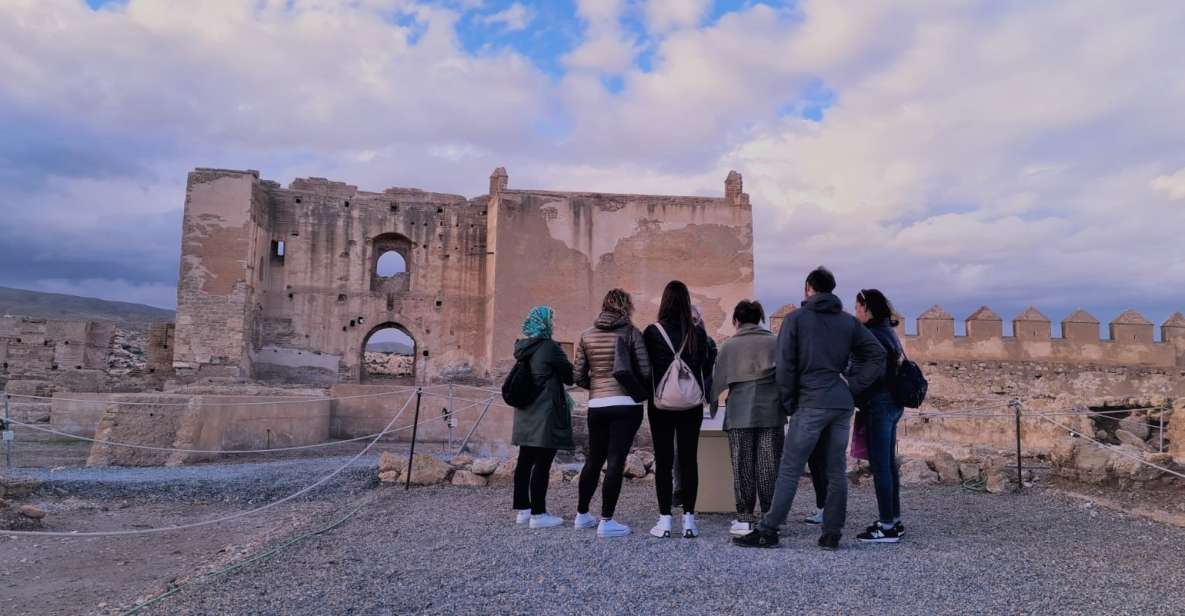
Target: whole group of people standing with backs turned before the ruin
column 789, row 405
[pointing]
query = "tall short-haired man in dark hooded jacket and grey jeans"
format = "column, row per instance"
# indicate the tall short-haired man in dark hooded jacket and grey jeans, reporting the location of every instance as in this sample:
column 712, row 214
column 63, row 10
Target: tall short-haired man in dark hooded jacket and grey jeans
column 816, row 348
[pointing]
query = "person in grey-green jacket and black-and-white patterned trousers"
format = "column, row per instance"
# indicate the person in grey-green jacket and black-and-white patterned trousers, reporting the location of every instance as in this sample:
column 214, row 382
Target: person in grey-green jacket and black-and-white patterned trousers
column 753, row 416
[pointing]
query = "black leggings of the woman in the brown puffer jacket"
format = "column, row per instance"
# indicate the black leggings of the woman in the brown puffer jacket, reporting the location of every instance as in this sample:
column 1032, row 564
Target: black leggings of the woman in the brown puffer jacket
column 612, row 431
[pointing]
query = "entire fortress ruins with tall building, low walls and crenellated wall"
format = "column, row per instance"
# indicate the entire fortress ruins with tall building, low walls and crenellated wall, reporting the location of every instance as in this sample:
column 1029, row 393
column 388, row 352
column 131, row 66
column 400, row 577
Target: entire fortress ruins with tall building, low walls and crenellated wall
column 281, row 288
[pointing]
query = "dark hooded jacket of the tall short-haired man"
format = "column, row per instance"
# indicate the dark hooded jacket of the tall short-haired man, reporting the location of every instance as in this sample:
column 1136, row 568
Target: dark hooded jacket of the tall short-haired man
column 815, row 349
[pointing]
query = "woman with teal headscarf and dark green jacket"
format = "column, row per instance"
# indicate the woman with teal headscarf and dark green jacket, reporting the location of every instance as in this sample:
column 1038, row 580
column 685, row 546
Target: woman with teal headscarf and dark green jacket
column 546, row 426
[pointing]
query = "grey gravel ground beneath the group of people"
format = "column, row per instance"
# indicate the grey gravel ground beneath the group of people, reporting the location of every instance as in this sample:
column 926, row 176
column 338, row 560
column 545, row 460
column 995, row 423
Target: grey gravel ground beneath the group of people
column 456, row 551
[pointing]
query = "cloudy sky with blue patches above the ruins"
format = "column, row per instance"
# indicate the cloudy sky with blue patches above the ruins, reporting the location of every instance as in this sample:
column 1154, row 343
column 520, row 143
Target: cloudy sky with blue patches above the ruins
column 949, row 152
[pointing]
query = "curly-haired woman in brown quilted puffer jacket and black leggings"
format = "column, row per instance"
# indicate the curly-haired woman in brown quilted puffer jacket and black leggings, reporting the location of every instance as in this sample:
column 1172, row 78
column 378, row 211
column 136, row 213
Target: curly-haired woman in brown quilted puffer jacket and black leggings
column 614, row 415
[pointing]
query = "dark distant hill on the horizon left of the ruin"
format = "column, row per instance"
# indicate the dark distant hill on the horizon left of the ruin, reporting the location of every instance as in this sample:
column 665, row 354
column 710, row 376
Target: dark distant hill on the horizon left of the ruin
column 20, row 303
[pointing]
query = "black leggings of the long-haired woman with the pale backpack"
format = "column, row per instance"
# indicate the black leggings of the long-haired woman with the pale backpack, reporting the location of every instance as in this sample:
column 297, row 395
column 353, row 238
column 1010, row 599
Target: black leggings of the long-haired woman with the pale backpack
column 667, row 429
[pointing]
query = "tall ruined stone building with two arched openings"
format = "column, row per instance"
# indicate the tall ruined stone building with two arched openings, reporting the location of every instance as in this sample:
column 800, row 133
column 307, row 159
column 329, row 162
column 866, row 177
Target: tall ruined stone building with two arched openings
column 281, row 285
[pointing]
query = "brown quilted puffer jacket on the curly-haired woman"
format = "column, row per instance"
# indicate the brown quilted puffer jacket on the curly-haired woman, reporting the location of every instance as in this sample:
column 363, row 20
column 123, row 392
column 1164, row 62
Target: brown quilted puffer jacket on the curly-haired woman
column 597, row 350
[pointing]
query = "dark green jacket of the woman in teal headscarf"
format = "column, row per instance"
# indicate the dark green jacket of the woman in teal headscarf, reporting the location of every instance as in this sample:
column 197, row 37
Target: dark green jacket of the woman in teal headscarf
column 548, row 421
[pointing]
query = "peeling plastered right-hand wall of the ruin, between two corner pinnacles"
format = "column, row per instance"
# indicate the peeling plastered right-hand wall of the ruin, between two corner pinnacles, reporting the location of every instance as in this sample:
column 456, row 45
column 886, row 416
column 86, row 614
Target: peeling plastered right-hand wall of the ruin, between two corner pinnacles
column 567, row 249
